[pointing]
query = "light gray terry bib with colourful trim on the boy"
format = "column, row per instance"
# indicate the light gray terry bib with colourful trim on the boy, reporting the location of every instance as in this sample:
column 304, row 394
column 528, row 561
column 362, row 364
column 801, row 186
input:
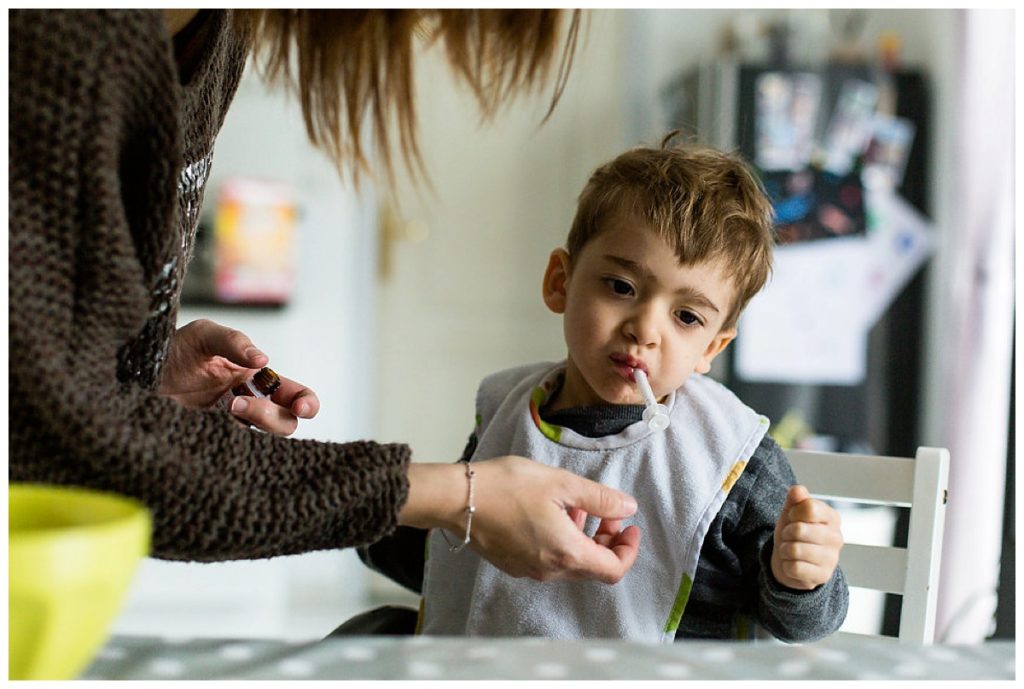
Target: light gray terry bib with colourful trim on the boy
column 679, row 477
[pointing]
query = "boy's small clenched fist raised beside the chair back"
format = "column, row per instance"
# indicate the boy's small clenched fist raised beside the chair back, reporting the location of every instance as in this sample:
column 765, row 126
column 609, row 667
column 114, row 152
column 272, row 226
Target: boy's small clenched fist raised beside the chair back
column 807, row 542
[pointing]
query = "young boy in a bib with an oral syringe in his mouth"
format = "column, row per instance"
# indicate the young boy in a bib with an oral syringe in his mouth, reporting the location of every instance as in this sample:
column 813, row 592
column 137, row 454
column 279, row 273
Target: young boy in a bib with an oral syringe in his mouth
column 667, row 248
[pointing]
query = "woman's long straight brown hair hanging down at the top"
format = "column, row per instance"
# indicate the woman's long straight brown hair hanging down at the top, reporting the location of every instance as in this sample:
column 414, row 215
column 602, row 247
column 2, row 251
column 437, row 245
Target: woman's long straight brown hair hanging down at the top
column 351, row 65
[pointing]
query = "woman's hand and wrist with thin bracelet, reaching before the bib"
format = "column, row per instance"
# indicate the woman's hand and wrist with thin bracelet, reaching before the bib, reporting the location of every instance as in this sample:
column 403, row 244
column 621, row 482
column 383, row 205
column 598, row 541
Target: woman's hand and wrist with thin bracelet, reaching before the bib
column 523, row 524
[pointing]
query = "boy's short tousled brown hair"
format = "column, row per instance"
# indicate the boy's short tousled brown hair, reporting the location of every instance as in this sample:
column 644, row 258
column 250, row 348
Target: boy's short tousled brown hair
column 707, row 204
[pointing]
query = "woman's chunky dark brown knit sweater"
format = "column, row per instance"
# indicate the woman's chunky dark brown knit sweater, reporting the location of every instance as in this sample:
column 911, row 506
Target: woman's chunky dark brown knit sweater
column 110, row 151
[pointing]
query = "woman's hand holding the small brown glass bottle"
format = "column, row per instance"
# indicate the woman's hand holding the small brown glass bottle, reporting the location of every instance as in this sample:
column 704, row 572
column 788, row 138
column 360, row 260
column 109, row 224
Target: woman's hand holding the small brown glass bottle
column 206, row 360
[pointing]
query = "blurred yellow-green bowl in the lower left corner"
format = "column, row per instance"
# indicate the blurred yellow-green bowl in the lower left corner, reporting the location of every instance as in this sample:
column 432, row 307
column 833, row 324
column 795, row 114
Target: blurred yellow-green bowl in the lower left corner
column 72, row 557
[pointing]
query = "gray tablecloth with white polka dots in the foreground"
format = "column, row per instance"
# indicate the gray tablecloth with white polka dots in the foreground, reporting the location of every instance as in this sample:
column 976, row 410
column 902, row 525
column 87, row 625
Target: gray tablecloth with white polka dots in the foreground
column 448, row 659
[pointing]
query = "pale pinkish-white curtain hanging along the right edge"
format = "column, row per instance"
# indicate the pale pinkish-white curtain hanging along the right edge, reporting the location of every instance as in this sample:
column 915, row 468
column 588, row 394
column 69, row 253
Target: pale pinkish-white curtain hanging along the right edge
column 978, row 284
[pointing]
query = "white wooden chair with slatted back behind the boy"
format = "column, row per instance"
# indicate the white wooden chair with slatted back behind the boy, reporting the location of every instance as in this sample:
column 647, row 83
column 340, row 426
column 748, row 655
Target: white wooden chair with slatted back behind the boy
column 919, row 484
